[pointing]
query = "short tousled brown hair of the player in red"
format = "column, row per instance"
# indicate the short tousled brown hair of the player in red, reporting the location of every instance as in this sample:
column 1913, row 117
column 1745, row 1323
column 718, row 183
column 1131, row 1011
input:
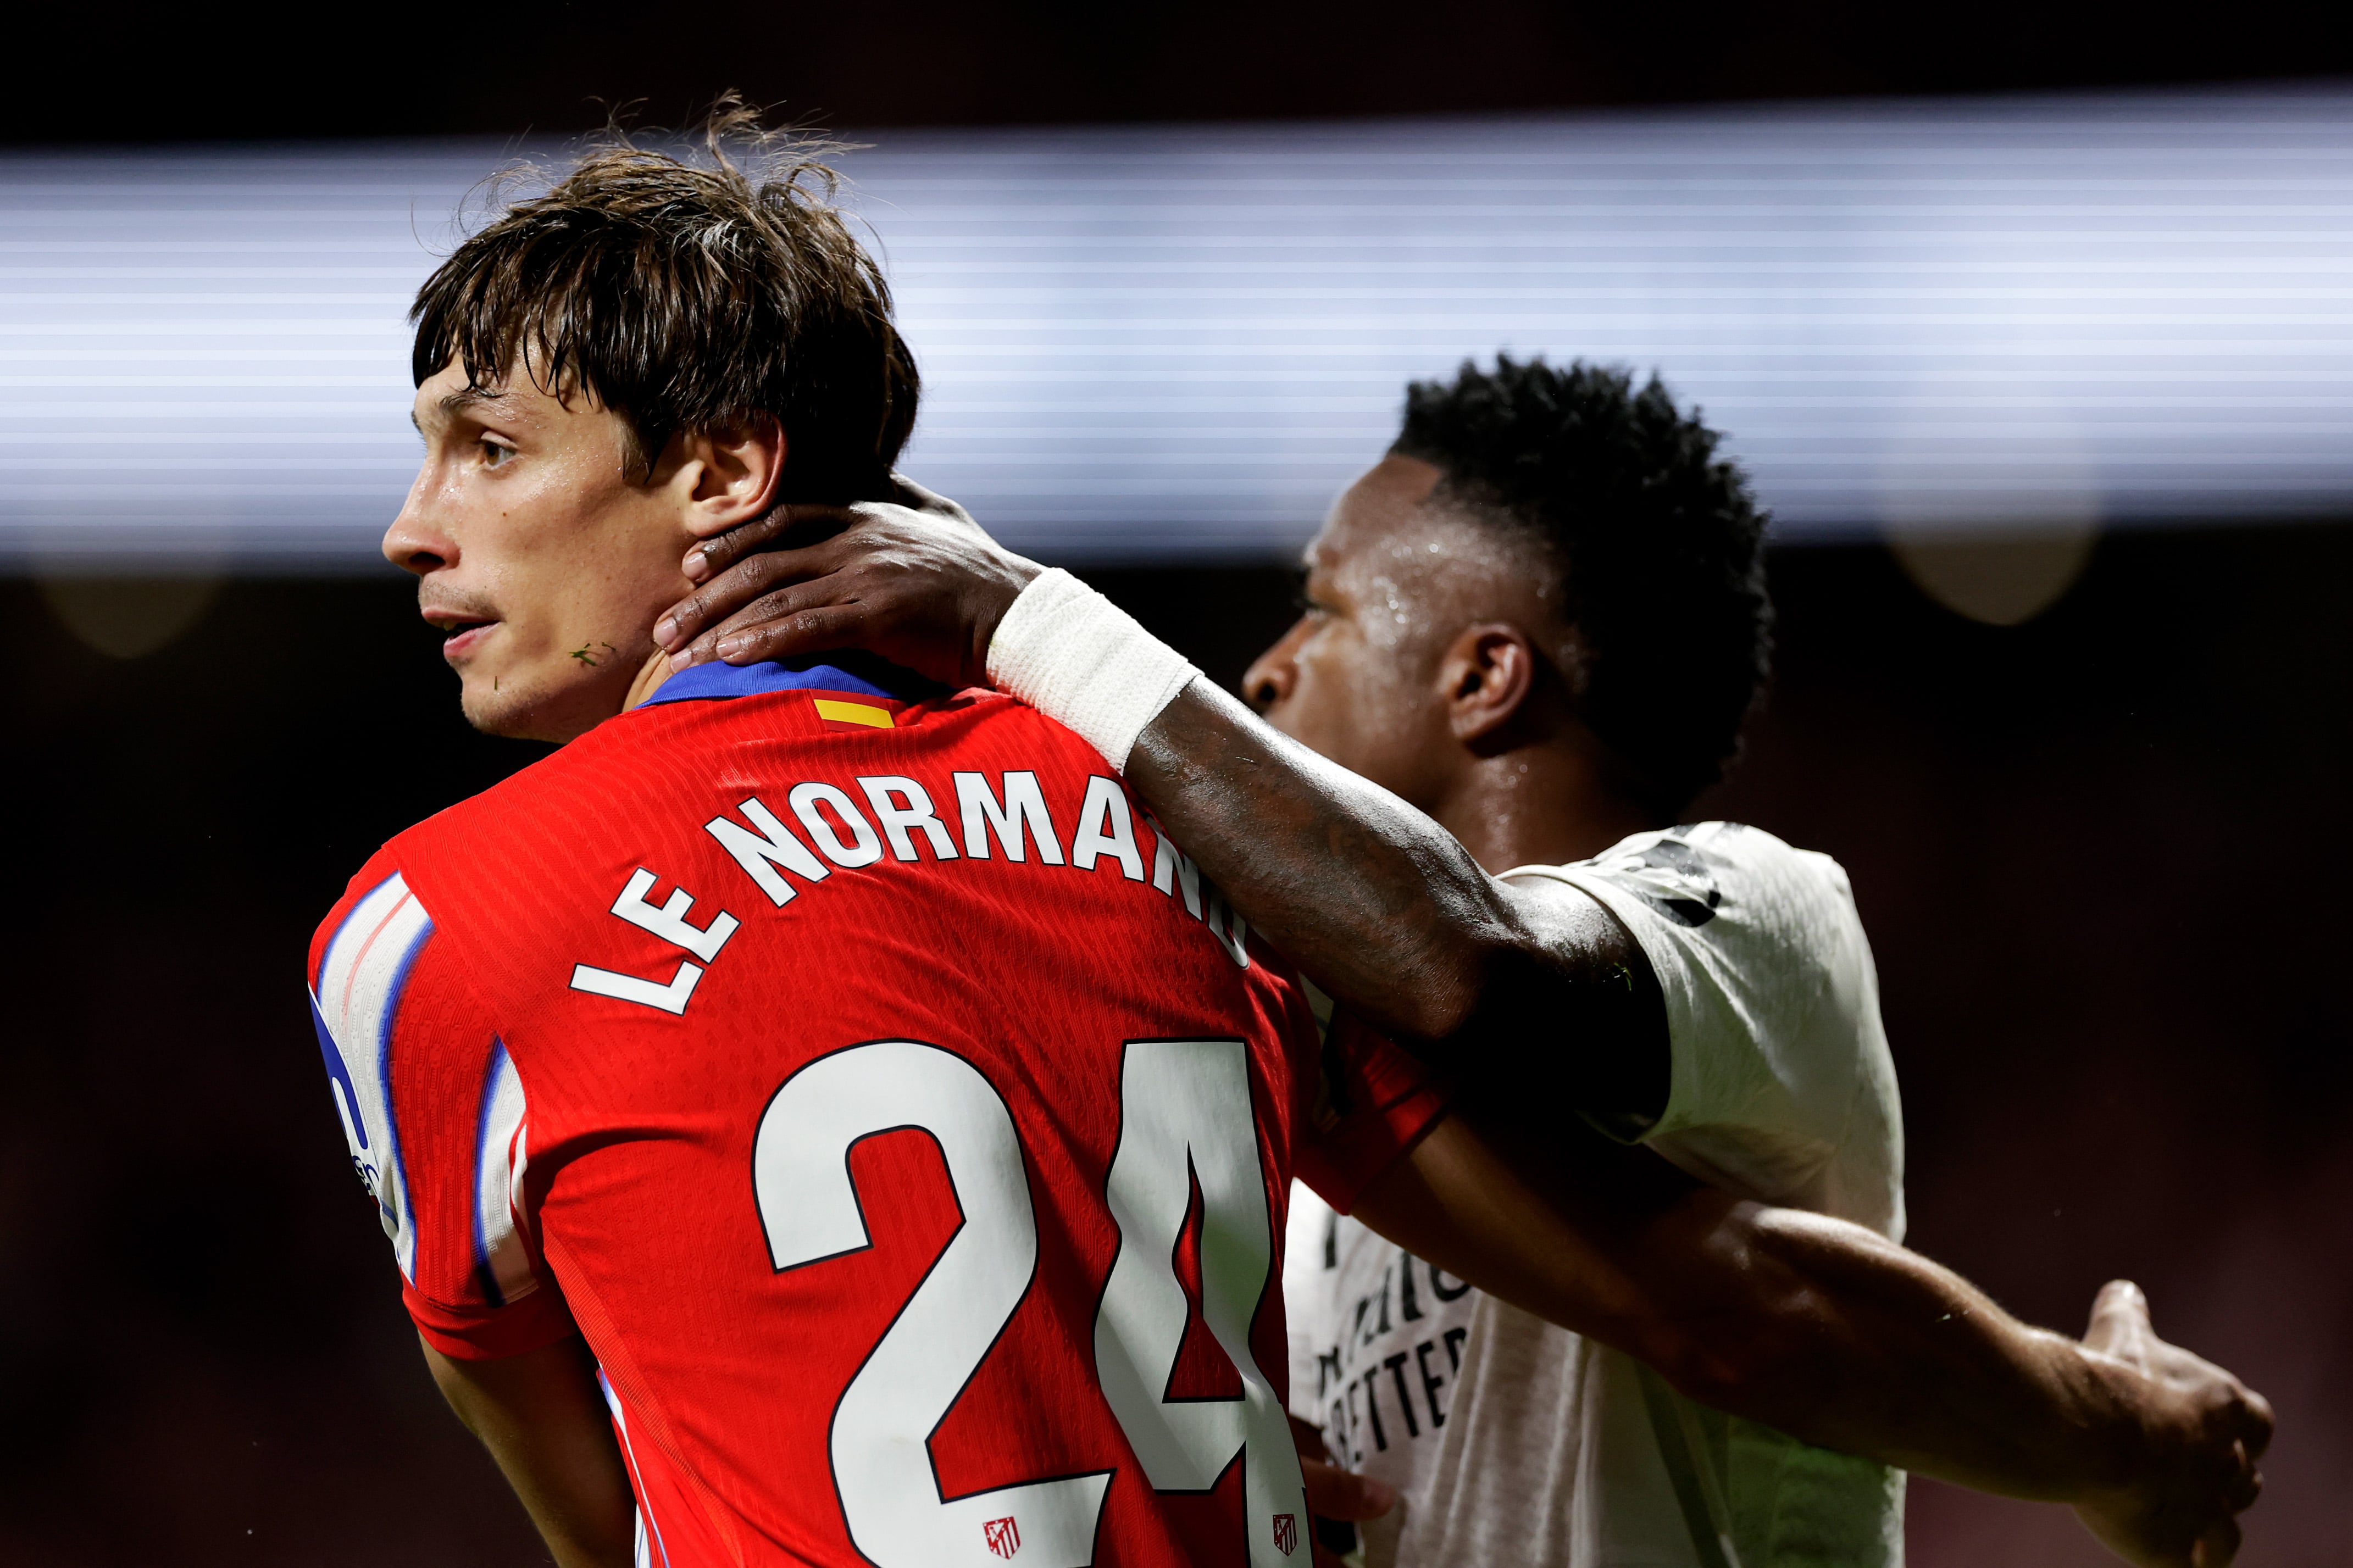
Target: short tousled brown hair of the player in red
column 688, row 297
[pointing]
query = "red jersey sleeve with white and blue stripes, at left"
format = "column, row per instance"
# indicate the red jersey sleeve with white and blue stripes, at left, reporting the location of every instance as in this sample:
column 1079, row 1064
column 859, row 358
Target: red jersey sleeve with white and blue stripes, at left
column 436, row 1123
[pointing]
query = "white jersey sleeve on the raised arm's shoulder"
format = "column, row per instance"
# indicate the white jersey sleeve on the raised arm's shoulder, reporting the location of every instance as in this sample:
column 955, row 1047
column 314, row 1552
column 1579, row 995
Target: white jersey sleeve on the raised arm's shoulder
column 1771, row 1000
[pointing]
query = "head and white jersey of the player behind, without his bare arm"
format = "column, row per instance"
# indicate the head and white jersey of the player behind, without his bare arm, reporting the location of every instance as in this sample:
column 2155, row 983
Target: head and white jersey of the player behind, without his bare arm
column 1585, row 629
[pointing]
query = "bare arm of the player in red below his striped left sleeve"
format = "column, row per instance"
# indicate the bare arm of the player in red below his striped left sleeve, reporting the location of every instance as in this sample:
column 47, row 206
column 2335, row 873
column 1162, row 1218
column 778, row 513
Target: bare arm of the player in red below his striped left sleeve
column 542, row 1419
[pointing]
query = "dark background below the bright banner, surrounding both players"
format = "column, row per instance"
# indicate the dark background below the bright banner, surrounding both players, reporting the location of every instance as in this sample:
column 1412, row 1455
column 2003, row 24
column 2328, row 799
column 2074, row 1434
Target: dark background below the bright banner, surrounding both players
column 2100, row 859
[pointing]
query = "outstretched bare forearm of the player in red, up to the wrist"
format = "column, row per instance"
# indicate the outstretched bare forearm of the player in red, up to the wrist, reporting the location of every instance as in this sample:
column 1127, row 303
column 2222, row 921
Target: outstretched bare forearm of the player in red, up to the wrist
column 1806, row 1325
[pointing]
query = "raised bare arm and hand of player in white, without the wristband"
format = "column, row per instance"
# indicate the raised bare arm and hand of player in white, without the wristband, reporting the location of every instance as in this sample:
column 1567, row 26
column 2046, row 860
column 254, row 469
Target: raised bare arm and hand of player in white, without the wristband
column 1371, row 897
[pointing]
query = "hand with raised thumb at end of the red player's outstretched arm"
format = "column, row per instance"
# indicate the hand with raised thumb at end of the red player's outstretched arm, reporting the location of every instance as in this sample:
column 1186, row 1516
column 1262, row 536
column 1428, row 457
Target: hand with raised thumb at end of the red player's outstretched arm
column 2204, row 1433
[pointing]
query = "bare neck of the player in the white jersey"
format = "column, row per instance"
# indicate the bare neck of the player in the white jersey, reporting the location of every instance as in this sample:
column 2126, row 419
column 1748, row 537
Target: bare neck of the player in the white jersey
column 1538, row 805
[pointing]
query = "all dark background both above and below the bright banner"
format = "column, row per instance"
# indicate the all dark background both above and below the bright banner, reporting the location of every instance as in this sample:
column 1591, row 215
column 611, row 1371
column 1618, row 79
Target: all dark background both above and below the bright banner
column 2100, row 855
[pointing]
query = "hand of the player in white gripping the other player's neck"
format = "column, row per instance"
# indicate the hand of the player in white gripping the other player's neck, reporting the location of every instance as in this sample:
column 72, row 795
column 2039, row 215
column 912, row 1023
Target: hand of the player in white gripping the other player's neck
column 909, row 579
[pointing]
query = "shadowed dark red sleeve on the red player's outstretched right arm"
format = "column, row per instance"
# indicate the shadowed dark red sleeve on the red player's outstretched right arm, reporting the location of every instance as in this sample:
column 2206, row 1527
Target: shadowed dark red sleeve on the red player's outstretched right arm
column 1373, row 1104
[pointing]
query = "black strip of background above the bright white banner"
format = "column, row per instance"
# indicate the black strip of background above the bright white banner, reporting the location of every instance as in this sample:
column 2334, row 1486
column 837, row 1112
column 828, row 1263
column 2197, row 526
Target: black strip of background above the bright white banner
column 272, row 72
